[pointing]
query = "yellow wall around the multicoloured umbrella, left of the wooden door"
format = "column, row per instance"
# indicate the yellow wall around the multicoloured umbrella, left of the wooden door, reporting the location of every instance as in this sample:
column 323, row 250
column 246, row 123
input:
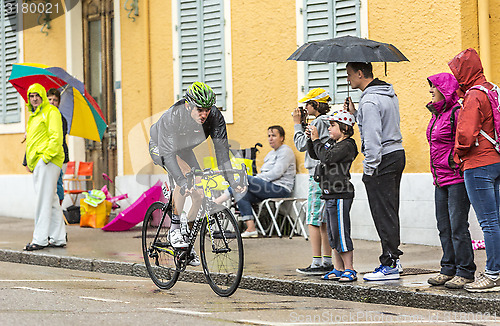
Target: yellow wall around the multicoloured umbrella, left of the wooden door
column 39, row 48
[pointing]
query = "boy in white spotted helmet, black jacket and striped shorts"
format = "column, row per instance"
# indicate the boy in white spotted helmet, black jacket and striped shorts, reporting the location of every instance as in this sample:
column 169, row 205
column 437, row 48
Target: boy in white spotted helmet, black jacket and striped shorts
column 336, row 157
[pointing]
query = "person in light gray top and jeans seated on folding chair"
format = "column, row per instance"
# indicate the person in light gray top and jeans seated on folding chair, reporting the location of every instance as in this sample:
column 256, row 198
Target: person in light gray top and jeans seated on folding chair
column 275, row 180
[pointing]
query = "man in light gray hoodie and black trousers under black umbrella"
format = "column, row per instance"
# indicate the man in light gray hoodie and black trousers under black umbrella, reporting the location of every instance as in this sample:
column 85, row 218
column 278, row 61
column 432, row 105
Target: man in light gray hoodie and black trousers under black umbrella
column 381, row 144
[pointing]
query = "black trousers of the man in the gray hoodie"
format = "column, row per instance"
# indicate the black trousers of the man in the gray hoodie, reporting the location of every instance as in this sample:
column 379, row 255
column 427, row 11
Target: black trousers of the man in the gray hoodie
column 382, row 189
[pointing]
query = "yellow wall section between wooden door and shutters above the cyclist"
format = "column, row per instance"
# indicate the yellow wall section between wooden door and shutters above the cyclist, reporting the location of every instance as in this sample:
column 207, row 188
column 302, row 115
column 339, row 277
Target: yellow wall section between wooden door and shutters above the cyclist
column 147, row 76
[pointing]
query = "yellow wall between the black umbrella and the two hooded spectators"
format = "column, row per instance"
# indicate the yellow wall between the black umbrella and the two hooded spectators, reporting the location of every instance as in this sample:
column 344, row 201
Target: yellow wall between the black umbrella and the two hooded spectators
column 429, row 34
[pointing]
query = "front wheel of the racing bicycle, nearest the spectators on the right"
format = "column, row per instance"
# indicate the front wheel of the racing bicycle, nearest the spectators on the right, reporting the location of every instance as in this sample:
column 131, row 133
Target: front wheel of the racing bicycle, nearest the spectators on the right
column 221, row 250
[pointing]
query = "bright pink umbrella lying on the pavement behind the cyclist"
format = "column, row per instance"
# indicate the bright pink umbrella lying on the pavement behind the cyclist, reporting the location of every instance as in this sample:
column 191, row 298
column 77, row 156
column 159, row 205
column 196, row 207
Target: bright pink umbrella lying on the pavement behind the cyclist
column 135, row 213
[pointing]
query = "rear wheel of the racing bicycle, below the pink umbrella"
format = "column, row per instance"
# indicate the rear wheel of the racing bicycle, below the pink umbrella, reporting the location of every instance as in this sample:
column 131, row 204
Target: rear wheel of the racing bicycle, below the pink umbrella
column 159, row 255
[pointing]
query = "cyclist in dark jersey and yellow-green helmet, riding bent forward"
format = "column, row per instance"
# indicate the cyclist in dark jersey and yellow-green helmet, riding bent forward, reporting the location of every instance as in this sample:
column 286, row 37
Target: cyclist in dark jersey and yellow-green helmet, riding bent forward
column 185, row 125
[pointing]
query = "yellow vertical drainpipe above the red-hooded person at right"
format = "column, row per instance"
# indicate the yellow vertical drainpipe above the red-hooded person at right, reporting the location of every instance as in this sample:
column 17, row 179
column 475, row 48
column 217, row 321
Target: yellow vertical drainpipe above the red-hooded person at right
column 483, row 19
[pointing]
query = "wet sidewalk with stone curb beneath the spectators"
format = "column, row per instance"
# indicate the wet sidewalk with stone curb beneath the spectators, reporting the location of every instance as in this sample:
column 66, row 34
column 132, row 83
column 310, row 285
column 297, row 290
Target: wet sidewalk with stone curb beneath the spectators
column 270, row 265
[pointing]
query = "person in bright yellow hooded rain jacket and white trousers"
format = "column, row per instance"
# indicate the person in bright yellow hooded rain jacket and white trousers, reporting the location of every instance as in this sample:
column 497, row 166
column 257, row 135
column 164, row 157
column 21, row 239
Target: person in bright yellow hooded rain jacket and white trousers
column 45, row 156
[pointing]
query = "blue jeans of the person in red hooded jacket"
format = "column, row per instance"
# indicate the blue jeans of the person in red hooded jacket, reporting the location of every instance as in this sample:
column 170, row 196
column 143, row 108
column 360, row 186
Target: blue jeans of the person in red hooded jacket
column 482, row 187
